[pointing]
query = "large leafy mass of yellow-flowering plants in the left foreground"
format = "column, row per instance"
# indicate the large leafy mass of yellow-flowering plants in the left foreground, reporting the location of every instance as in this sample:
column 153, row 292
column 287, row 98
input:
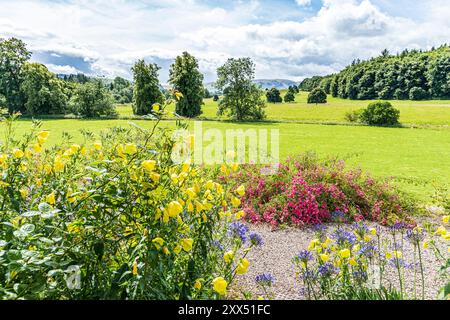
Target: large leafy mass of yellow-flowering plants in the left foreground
column 114, row 218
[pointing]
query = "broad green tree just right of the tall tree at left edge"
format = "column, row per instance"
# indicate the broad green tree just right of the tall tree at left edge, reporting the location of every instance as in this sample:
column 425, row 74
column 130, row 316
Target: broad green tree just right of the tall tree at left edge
column 43, row 91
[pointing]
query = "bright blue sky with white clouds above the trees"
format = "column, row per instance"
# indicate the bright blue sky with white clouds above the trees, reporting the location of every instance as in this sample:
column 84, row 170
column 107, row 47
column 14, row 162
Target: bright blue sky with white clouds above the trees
column 287, row 39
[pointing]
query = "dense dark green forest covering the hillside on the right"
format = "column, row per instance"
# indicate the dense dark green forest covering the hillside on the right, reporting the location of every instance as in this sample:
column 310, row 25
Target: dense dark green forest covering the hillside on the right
column 411, row 74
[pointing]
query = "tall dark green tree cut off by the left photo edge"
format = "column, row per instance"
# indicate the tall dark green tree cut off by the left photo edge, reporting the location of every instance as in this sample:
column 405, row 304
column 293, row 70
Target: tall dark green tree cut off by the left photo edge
column 13, row 55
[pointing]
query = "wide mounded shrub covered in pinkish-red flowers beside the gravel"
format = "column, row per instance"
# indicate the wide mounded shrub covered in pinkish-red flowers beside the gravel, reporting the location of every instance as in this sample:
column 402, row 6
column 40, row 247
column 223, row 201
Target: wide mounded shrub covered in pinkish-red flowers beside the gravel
column 306, row 191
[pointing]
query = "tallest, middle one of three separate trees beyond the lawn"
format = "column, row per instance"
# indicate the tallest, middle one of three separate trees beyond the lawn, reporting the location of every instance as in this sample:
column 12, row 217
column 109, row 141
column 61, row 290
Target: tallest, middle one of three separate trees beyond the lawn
column 185, row 77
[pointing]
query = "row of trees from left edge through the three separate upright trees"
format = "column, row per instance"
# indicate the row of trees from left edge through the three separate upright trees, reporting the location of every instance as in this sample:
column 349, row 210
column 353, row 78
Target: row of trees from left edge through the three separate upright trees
column 30, row 88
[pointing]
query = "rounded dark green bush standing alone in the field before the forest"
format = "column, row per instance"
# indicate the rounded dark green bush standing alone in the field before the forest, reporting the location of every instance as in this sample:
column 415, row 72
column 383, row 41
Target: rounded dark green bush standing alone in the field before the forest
column 380, row 113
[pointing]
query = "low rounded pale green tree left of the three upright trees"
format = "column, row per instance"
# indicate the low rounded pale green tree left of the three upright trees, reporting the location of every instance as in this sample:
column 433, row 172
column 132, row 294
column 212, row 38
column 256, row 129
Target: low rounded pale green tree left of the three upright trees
column 92, row 99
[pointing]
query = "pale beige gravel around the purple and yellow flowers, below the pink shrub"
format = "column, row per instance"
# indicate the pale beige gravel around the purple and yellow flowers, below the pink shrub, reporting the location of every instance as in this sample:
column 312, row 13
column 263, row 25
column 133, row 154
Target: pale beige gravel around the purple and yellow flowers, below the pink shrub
column 281, row 245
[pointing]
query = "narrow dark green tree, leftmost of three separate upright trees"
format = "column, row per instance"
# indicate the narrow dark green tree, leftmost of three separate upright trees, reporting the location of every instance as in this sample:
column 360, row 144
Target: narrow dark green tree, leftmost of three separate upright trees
column 146, row 87
